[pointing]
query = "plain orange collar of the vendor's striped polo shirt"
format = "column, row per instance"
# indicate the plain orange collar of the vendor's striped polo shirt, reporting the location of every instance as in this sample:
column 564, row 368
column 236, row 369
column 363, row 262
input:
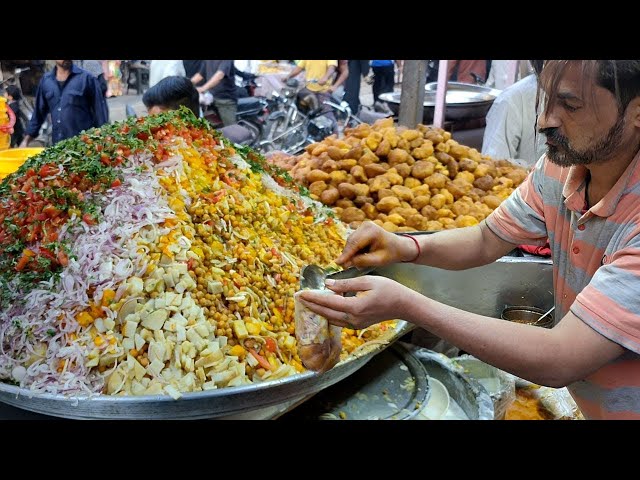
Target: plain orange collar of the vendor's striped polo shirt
column 573, row 190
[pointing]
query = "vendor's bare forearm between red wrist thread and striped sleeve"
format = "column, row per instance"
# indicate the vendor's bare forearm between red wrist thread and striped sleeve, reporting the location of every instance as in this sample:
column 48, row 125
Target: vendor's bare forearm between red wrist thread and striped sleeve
column 462, row 248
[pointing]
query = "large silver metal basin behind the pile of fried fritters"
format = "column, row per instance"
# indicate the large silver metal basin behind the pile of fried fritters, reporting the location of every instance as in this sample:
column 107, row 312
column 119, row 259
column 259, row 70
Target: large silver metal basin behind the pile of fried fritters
column 464, row 101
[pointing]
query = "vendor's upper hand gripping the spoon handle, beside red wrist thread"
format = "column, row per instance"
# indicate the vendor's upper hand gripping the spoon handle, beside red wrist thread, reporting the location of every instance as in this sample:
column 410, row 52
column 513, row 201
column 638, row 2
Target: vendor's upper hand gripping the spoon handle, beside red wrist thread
column 372, row 246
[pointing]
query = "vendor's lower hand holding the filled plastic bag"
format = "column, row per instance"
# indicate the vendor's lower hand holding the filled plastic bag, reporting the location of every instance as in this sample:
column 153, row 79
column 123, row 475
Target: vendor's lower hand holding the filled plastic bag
column 377, row 299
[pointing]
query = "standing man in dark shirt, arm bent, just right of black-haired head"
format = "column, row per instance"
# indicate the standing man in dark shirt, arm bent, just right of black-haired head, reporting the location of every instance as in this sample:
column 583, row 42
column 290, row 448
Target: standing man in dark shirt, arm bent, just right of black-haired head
column 219, row 75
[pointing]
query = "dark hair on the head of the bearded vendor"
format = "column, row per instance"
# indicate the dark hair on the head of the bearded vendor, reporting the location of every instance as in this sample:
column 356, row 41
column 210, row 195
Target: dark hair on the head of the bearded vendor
column 620, row 77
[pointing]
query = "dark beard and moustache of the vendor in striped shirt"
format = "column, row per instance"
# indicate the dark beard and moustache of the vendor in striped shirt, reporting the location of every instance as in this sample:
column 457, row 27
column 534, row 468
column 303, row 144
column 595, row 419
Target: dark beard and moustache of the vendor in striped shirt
column 563, row 155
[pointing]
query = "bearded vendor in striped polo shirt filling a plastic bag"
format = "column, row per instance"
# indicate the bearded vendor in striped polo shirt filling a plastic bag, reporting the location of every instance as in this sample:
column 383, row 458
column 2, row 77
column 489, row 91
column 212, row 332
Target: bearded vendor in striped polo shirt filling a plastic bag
column 583, row 194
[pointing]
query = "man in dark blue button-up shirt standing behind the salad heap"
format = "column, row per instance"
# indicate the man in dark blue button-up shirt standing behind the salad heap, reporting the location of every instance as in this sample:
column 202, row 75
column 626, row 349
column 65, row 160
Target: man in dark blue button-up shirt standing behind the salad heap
column 73, row 98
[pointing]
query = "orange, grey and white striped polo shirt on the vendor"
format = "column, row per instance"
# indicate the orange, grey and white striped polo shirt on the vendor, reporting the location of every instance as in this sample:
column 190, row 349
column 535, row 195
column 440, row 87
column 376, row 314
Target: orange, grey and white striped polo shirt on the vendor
column 596, row 272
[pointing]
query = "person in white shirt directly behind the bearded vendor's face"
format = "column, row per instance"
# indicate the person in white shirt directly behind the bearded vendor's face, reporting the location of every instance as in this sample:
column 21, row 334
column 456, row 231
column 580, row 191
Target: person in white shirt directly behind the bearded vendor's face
column 510, row 132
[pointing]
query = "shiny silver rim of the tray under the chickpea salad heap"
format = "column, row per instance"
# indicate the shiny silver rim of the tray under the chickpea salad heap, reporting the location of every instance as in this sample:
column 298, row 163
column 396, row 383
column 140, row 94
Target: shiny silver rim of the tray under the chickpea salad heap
column 224, row 402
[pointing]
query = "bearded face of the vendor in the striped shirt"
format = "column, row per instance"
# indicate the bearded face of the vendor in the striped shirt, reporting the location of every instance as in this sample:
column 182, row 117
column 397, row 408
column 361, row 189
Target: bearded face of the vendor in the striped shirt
column 584, row 125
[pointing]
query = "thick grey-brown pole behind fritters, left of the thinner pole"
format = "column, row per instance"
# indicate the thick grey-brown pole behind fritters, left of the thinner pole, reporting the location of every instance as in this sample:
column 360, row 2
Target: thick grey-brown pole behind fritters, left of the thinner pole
column 414, row 76
